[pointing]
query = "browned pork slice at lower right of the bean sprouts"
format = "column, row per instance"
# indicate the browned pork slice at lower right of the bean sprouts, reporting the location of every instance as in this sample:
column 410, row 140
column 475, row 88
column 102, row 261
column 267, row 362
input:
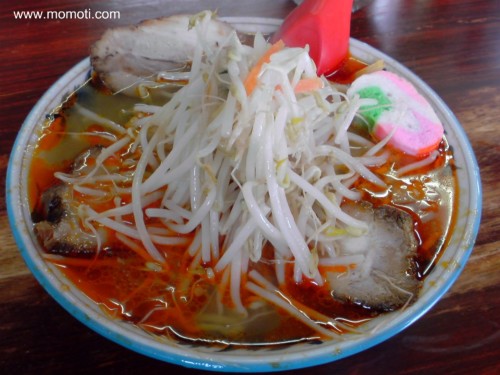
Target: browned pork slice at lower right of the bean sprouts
column 387, row 278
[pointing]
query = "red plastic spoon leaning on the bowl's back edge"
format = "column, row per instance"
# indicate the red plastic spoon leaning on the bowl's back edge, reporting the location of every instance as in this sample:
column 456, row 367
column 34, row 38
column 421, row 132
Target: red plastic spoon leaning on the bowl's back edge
column 322, row 24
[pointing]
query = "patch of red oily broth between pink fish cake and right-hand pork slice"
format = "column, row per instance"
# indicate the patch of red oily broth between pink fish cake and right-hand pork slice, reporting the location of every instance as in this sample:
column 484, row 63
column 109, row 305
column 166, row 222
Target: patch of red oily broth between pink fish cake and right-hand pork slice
column 428, row 194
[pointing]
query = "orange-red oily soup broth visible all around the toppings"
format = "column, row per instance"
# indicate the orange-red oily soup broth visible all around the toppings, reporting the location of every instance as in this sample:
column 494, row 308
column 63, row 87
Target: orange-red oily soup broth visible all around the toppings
column 162, row 300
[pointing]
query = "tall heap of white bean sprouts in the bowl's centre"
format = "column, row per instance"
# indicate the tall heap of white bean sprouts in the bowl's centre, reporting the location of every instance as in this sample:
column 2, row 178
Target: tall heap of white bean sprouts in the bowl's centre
column 238, row 170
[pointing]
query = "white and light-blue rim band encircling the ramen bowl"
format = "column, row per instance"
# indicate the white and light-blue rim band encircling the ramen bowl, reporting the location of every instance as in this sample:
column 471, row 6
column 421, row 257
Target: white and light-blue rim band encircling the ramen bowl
column 119, row 333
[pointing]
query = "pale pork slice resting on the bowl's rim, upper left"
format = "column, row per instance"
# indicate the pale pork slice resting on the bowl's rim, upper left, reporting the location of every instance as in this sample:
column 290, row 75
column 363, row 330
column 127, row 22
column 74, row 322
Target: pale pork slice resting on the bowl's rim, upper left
column 125, row 57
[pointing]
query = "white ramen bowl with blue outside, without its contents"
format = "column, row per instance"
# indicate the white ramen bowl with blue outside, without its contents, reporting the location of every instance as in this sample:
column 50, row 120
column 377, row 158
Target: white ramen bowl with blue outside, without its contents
column 299, row 355
